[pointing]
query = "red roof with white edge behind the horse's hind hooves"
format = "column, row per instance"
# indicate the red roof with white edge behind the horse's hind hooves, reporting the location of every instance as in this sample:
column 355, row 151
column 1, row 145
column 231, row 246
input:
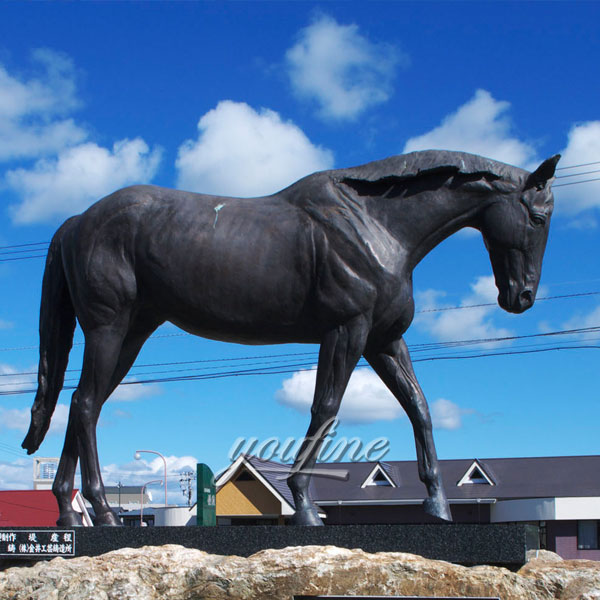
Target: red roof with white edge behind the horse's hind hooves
column 34, row 508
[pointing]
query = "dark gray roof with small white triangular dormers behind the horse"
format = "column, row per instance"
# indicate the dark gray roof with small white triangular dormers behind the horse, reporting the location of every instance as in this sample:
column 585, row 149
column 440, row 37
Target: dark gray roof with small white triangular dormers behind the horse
column 543, row 477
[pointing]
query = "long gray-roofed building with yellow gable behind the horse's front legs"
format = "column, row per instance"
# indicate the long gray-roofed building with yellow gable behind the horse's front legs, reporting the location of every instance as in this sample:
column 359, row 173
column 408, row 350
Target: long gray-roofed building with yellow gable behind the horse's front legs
column 561, row 495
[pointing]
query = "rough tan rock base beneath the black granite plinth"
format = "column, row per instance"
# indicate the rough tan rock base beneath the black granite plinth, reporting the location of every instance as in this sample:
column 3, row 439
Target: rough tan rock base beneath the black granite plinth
column 178, row 573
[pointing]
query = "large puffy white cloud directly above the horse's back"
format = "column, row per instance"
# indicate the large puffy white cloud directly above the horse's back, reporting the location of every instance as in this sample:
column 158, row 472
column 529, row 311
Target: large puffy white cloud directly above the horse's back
column 243, row 152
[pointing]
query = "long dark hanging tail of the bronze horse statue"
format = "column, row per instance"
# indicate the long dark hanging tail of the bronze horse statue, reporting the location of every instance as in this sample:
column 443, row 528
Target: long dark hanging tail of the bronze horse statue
column 57, row 326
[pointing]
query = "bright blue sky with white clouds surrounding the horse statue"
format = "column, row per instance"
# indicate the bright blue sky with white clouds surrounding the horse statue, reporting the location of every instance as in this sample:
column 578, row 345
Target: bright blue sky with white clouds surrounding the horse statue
column 245, row 98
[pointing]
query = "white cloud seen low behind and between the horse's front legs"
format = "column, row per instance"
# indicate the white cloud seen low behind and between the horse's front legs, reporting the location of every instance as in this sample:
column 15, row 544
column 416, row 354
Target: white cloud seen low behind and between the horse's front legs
column 366, row 400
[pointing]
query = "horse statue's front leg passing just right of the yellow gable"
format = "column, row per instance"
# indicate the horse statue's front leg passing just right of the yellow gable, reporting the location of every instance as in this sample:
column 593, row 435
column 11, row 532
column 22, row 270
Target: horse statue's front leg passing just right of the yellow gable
column 340, row 350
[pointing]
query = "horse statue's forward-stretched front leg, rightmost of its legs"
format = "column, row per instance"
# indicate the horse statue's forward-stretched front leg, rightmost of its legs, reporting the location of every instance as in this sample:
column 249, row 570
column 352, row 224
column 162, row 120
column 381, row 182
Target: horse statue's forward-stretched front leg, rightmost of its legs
column 393, row 365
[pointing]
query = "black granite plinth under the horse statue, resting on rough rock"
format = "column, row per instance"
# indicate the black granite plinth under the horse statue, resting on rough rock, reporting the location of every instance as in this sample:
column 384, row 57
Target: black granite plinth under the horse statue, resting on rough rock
column 500, row 544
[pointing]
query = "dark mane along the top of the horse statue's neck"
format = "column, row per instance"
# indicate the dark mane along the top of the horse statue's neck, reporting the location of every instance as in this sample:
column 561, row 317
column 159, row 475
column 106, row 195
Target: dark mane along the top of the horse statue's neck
column 417, row 164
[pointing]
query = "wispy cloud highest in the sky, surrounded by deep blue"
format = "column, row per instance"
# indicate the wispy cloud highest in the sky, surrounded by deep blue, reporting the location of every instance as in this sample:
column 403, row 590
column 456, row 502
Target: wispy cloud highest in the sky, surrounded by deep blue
column 340, row 69
